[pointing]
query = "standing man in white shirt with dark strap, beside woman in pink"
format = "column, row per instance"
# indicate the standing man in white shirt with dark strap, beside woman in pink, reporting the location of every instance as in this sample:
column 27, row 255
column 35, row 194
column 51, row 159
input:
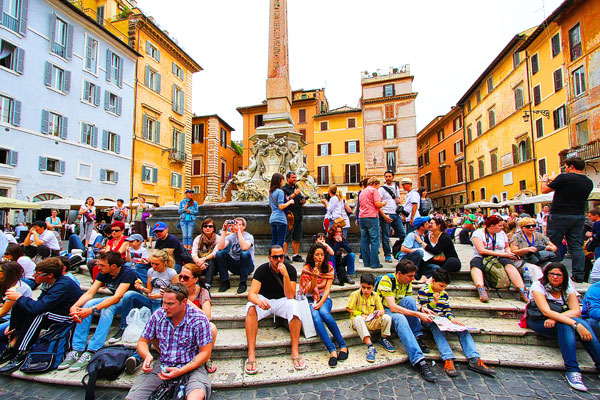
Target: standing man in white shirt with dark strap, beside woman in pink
column 388, row 218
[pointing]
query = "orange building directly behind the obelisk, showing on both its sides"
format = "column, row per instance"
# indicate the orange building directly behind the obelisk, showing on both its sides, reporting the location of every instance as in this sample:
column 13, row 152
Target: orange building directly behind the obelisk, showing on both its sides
column 305, row 105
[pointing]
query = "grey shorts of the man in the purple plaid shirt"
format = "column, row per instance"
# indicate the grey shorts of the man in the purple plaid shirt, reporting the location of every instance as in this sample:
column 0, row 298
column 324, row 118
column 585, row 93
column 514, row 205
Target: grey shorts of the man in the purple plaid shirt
column 145, row 384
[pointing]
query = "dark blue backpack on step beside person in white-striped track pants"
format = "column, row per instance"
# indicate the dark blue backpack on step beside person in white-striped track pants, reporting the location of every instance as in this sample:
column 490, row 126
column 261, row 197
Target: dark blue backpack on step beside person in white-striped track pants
column 50, row 349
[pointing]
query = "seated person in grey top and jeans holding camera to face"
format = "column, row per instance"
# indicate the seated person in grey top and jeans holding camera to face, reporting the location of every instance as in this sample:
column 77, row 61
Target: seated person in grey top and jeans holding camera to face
column 235, row 253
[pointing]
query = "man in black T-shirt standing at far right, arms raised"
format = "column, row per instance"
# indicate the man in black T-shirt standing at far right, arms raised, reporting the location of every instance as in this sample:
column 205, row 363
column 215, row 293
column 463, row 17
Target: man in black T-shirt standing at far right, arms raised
column 567, row 214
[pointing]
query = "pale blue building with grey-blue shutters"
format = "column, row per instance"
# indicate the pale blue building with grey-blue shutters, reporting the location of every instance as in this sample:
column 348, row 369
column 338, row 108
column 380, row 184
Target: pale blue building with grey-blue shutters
column 66, row 104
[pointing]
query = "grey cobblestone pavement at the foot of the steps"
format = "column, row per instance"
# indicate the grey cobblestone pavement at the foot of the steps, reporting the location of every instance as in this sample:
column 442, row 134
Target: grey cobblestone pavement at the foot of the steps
column 385, row 384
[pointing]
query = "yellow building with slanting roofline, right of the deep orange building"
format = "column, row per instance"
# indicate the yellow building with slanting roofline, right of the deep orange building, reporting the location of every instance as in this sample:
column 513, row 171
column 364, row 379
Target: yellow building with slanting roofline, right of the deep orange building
column 500, row 162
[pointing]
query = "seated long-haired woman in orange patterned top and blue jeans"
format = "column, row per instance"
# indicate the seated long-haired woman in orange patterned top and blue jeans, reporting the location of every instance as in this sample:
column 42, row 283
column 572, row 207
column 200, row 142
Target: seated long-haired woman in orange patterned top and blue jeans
column 315, row 281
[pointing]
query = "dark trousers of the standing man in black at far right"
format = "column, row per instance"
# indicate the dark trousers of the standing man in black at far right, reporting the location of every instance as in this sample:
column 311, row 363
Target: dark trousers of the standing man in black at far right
column 571, row 227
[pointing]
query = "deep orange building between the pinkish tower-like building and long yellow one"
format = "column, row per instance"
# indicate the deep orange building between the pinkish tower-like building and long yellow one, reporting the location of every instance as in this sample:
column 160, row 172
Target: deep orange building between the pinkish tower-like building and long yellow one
column 442, row 161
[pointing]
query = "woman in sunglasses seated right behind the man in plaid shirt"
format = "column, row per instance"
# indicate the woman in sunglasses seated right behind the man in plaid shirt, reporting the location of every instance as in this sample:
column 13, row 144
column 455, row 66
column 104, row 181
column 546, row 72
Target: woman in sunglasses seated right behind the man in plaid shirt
column 199, row 296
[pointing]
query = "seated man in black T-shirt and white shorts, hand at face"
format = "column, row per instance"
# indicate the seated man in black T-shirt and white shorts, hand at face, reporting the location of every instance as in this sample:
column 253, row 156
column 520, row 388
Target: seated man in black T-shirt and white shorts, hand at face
column 272, row 293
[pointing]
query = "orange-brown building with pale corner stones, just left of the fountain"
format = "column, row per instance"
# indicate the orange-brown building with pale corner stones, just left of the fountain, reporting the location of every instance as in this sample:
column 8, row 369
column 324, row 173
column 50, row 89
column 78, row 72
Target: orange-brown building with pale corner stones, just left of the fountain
column 215, row 157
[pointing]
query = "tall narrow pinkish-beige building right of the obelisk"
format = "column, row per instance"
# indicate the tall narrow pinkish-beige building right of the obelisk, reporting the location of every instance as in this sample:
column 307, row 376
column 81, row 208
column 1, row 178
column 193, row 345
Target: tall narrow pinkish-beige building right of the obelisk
column 389, row 122
